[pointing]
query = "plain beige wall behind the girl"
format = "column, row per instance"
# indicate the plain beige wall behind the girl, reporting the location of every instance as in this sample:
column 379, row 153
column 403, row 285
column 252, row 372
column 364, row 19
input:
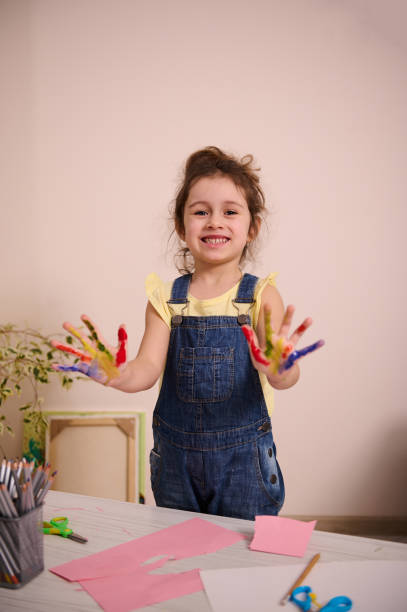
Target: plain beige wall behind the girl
column 102, row 101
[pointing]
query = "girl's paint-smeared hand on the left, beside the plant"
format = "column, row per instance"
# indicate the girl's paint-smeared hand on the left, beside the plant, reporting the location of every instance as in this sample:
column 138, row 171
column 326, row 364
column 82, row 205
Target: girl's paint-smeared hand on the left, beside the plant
column 100, row 361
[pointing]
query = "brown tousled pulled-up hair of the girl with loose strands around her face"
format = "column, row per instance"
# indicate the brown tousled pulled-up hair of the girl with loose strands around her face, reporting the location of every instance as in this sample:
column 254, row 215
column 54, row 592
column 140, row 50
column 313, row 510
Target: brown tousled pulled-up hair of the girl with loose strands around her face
column 211, row 161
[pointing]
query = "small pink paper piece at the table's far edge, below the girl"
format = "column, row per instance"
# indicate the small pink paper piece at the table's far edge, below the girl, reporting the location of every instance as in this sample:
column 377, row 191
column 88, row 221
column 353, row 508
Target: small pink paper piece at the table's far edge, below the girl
column 281, row 536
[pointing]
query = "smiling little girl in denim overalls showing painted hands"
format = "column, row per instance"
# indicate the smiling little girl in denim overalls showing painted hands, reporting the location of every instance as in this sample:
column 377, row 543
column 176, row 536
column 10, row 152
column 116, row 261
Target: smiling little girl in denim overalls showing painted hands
column 213, row 445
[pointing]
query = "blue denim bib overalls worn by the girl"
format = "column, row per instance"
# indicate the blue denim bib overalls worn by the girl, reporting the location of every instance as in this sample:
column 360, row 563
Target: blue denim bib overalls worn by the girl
column 213, row 445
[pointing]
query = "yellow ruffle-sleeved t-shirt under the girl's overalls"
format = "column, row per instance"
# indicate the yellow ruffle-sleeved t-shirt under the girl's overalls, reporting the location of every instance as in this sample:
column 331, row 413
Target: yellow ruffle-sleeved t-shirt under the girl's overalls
column 159, row 292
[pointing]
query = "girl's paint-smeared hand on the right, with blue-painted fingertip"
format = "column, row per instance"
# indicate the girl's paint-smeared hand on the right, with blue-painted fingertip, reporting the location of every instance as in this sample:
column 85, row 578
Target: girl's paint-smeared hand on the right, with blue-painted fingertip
column 278, row 356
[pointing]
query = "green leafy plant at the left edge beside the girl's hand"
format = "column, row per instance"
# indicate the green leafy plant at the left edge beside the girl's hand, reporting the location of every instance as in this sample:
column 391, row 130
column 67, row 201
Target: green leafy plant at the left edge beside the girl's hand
column 26, row 356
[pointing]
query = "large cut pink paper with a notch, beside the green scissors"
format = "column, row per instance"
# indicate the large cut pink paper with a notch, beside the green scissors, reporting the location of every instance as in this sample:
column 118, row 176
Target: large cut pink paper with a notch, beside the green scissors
column 118, row 581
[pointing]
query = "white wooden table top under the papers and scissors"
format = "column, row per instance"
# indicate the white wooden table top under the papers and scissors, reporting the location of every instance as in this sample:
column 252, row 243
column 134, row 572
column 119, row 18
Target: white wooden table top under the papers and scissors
column 107, row 523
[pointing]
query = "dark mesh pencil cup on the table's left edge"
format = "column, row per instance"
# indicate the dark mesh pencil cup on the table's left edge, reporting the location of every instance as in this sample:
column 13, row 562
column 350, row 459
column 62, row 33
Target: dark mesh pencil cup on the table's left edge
column 21, row 548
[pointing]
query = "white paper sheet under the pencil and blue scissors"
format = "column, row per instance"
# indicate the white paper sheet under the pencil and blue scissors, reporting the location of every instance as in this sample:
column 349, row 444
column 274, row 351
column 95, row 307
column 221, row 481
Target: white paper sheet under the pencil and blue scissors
column 373, row 586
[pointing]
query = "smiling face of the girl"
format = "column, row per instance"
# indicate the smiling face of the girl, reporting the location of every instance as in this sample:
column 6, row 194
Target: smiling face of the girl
column 217, row 222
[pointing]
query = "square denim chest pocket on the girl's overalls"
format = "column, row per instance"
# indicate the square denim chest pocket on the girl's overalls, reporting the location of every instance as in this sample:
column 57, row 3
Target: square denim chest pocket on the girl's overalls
column 205, row 374
